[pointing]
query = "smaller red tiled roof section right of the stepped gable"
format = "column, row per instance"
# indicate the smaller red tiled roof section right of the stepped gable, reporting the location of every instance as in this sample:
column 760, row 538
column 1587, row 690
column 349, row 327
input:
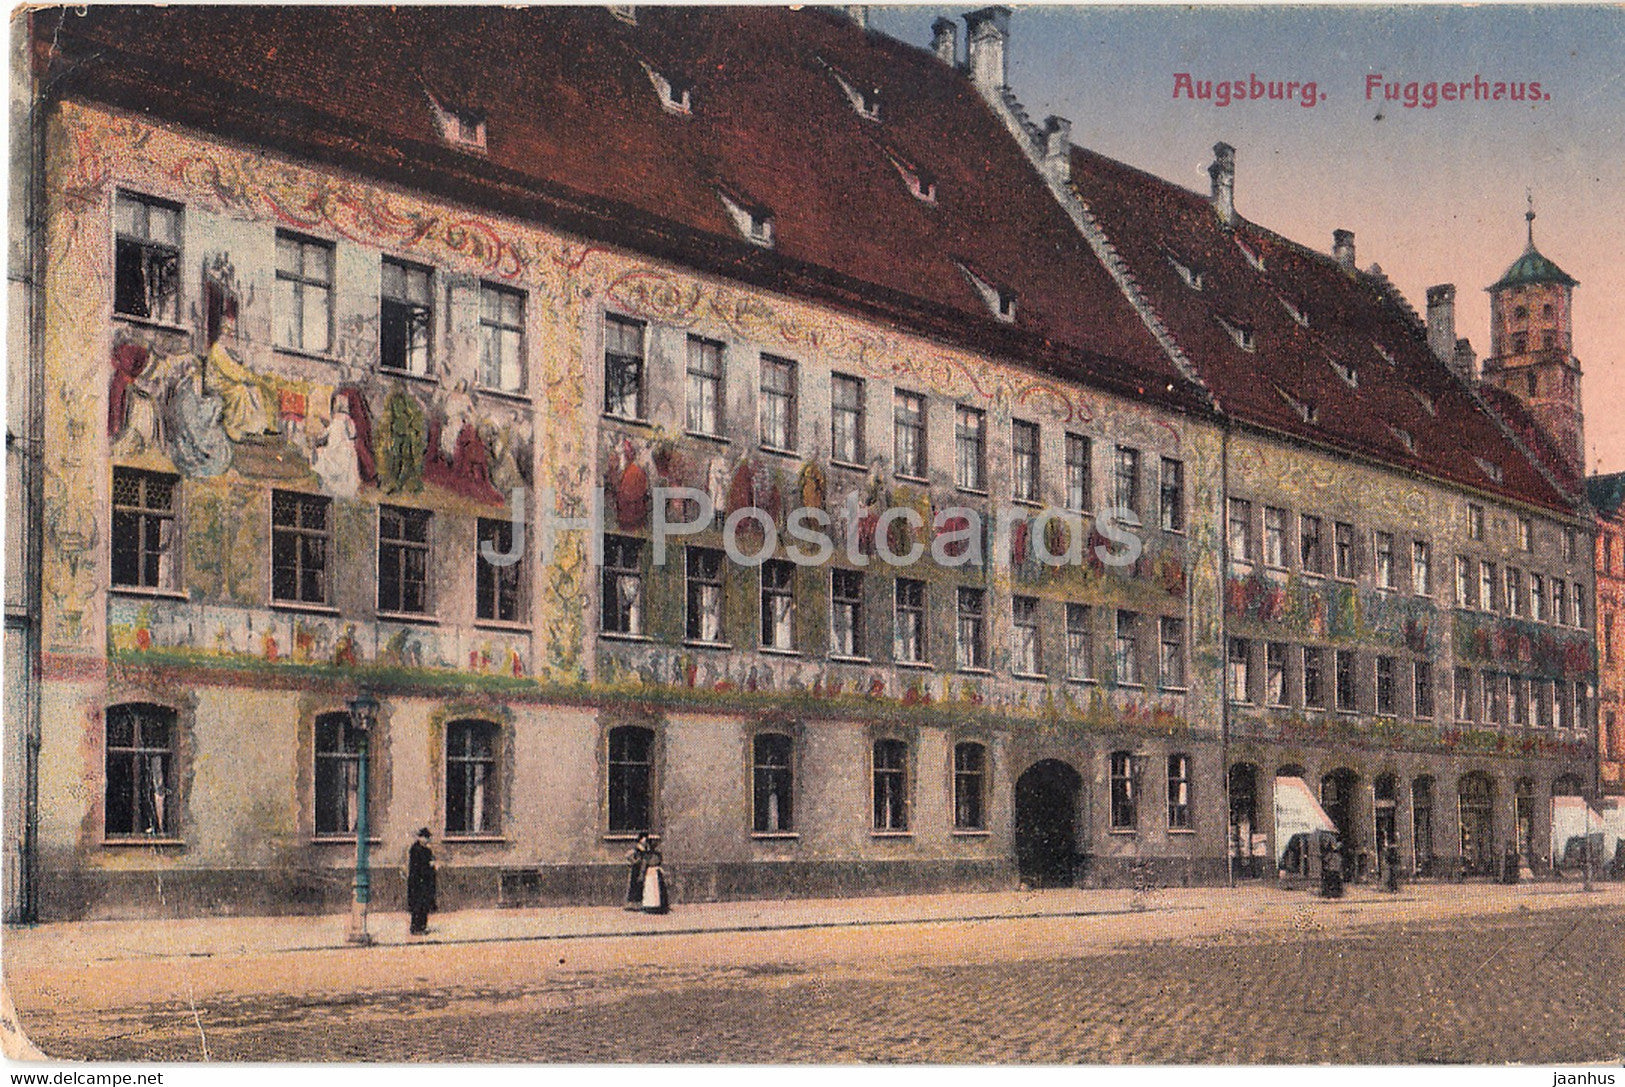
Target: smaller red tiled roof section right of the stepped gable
column 1354, row 321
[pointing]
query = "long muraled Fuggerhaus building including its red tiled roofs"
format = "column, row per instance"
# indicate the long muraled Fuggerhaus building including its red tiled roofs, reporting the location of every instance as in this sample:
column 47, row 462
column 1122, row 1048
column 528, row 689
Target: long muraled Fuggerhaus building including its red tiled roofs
column 362, row 405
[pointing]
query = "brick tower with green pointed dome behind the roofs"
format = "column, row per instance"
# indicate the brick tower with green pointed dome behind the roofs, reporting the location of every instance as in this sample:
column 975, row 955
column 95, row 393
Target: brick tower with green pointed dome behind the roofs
column 1533, row 347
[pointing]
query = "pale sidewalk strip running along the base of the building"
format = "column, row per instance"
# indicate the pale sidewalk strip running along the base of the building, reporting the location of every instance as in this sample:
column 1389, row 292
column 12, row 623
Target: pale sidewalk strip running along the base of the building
column 227, row 937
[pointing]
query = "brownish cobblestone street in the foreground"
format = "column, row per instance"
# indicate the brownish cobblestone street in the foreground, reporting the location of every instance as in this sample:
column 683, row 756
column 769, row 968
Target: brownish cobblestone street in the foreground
column 1299, row 981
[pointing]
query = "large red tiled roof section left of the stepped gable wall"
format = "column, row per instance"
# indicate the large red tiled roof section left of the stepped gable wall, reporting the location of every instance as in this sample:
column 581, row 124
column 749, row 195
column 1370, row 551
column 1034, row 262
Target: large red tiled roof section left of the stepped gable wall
column 578, row 137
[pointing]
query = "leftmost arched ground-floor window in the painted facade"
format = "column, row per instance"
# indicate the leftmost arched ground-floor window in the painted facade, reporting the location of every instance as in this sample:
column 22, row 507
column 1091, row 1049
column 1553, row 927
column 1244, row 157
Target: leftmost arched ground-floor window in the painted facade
column 141, row 773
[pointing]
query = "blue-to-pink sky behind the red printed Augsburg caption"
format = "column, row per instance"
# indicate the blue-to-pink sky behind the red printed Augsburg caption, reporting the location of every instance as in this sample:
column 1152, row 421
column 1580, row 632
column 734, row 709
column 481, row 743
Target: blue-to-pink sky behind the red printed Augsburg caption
column 1434, row 196
